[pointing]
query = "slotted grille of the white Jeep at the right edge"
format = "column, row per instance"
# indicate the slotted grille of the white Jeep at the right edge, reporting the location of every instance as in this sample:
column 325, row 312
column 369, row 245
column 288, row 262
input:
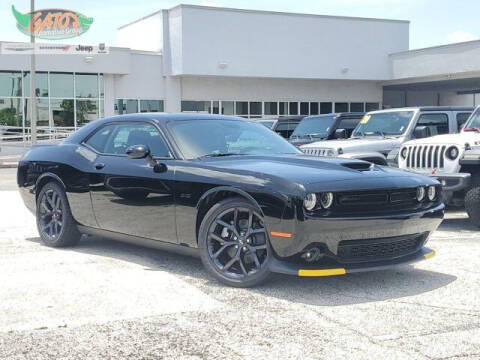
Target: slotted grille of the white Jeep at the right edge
column 426, row 157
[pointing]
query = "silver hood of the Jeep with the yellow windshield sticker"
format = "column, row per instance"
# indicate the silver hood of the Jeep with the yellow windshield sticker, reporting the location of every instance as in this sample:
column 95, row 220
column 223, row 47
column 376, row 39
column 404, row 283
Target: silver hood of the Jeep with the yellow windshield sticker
column 354, row 145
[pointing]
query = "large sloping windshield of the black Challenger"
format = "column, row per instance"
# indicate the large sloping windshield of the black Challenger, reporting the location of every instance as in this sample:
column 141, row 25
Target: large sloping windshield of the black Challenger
column 200, row 138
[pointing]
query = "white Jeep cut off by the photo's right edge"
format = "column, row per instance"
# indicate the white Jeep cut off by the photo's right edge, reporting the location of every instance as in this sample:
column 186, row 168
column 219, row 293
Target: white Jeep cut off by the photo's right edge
column 452, row 159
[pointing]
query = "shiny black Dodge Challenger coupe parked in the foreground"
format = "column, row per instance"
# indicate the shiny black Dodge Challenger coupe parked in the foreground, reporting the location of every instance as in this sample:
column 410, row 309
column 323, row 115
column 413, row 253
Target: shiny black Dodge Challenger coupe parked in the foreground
column 231, row 191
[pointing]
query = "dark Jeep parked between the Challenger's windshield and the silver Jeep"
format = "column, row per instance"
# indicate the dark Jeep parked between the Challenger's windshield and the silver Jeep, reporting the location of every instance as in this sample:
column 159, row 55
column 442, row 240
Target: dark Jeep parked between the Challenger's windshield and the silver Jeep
column 325, row 127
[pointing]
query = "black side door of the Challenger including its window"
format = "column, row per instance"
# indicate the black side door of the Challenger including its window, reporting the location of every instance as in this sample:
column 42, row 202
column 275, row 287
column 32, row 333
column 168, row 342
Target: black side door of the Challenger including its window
column 128, row 195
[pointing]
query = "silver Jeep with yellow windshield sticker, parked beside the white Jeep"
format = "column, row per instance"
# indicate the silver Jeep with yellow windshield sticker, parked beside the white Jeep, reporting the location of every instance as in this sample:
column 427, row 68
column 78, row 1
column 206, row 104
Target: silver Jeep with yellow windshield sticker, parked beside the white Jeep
column 383, row 131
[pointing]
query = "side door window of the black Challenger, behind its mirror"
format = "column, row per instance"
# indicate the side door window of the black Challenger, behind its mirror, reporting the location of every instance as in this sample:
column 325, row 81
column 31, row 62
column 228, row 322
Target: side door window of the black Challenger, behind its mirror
column 125, row 135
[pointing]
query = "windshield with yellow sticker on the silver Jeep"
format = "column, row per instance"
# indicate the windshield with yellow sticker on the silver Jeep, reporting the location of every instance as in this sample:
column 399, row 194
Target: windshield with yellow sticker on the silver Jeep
column 388, row 123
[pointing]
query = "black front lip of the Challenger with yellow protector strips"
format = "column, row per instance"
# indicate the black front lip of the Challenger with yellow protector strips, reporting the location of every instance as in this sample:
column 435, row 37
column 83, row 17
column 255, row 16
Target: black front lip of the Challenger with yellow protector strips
column 284, row 267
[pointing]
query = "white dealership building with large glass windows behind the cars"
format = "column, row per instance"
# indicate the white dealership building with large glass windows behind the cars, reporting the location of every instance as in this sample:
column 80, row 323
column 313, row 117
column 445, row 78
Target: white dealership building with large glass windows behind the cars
column 241, row 62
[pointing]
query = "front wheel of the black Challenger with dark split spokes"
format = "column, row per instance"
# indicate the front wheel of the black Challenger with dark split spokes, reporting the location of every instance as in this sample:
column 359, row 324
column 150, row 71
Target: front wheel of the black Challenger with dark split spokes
column 234, row 244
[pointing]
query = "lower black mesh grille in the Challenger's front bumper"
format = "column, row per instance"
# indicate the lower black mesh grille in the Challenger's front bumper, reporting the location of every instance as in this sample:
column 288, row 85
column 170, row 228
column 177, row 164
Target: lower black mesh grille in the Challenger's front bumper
column 352, row 251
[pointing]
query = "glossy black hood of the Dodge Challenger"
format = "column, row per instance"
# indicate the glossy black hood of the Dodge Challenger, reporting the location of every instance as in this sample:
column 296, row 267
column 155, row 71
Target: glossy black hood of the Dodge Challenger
column 303, row 169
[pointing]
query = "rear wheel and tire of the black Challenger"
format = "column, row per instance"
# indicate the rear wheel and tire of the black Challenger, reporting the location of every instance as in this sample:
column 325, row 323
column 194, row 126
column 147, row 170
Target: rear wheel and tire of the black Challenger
column 55, row 223
